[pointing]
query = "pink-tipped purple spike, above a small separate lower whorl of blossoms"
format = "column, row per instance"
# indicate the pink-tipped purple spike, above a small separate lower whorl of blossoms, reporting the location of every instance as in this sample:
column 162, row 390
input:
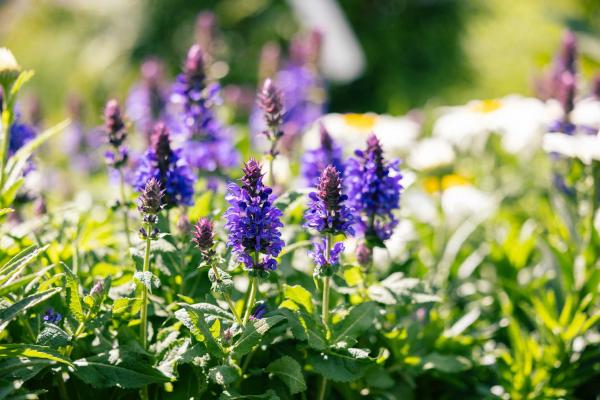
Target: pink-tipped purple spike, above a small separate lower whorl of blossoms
column 326, row 211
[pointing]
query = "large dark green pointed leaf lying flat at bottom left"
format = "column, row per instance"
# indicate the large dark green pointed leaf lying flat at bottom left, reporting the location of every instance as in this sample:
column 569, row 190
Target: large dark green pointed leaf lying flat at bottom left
column 113, row 370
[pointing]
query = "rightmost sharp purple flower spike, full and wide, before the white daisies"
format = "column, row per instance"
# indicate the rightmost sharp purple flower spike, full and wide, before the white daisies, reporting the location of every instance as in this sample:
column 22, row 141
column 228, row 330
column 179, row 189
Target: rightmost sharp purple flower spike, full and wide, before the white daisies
column 374, row 191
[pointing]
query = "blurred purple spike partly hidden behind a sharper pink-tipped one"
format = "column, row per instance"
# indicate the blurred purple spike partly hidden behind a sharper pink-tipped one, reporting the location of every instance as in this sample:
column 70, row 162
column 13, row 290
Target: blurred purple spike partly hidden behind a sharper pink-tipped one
column 315, row 161
